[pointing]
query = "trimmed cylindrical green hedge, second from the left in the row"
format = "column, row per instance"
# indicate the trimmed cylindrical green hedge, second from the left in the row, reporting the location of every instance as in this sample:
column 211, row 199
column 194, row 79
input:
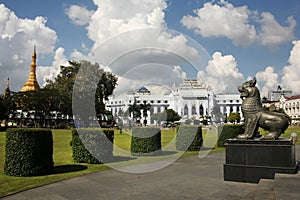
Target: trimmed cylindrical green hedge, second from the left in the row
column 92, row 145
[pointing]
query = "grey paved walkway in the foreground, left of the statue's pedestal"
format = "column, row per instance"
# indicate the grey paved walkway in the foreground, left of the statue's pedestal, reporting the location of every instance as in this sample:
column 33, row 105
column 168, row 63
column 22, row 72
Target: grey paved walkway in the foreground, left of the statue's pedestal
column 187, row 178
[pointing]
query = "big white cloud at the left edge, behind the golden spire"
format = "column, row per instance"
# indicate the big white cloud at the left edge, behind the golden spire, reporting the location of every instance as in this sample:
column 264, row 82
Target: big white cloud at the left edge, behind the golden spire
column 17, row 38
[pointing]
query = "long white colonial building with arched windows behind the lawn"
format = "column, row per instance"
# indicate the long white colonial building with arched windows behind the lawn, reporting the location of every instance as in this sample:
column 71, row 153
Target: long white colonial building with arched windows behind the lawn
column 191, row 100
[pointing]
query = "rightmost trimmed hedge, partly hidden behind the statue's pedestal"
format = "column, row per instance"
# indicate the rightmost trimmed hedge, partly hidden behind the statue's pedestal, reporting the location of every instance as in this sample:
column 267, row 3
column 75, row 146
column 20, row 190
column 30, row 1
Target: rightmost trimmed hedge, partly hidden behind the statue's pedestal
column 230, row 131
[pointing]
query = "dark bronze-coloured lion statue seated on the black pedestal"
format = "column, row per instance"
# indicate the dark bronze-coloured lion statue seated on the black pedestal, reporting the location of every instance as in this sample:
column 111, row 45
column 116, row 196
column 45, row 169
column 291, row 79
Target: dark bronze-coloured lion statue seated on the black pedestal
column 255, row 116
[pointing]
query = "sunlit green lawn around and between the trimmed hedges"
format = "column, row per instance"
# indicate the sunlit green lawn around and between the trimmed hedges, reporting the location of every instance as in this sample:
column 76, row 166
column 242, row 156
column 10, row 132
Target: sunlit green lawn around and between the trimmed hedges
column 65, row 167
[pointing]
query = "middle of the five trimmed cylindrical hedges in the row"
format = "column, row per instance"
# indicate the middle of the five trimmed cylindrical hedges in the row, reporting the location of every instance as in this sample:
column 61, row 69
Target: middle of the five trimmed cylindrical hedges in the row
column 145, row 140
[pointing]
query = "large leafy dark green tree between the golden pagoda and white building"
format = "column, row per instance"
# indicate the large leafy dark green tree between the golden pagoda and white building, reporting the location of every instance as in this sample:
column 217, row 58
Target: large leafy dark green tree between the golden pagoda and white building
column 92, row 84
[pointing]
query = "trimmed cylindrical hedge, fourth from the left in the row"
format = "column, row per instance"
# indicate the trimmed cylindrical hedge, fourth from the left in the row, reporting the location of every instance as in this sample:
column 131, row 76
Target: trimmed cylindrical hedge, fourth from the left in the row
column 189, row 138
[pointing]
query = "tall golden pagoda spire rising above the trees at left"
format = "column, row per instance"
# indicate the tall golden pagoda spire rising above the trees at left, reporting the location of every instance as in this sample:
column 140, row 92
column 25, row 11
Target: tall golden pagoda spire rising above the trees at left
column 31, row 83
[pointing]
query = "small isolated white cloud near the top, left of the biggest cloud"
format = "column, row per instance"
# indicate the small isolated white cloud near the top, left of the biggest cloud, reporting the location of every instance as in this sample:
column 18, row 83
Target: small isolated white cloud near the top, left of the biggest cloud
column 79, row 15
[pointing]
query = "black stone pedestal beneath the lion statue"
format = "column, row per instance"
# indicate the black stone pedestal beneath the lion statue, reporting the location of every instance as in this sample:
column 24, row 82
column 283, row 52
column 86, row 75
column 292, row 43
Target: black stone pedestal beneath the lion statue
column 250, row 160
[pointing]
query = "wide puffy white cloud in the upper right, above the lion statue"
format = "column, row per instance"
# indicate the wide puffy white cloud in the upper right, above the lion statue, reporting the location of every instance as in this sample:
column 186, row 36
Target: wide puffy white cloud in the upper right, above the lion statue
column 239, row 24
